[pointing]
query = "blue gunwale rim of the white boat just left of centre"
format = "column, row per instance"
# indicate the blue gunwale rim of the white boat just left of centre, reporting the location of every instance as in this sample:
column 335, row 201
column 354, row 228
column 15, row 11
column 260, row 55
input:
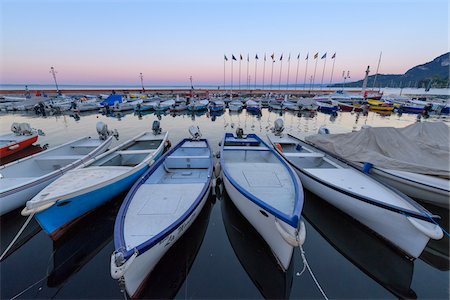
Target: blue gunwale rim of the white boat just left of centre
column 119, row 239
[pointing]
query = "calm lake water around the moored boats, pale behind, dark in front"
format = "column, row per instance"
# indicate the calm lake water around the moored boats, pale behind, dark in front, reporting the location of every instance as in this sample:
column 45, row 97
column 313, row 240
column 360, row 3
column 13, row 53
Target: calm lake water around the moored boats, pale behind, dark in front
column 221, row 255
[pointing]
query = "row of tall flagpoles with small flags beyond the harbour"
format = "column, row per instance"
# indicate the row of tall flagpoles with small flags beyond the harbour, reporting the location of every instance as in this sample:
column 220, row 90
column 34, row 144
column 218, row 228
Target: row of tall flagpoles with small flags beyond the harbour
column 272, row 57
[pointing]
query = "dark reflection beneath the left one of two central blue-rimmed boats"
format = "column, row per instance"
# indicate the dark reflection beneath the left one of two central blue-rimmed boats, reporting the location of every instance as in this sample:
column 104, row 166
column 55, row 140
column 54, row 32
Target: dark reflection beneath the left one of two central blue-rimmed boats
column 171, row 271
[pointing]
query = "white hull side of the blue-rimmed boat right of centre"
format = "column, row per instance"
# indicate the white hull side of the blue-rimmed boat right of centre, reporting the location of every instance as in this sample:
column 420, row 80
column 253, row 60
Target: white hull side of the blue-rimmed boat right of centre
column 265, row 223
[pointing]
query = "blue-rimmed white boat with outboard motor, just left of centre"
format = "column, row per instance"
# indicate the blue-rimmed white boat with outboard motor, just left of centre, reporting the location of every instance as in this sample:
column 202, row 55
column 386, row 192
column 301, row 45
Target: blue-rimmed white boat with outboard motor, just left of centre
column 159, row 208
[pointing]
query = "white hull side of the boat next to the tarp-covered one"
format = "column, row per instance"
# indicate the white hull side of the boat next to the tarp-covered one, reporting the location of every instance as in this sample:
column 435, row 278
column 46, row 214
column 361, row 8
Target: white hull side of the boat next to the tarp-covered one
column 405, row 236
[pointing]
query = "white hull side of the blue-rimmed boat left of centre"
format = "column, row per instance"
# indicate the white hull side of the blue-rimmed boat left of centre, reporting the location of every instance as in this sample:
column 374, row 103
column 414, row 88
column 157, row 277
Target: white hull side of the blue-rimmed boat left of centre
column 136, row 274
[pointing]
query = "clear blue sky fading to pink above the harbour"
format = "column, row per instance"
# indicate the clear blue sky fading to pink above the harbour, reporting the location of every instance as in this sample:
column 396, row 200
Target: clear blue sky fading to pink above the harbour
column 111, row 42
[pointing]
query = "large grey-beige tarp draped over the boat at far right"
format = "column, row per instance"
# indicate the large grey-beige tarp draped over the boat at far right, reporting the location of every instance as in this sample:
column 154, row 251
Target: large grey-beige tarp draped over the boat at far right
column 420, row 148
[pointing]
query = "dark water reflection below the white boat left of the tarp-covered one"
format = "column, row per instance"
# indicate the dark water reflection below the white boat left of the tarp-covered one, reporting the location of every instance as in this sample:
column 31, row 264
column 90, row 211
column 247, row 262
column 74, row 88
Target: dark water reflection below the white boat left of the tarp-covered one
column 360, row 246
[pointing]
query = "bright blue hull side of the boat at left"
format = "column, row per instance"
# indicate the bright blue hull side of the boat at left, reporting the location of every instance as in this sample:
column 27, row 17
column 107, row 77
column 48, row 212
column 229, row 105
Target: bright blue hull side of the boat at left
column 56, row 219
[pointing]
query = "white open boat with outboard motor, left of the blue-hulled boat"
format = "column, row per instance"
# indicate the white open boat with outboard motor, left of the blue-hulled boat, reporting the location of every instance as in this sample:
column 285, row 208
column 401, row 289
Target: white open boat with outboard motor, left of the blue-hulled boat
column 24, row 178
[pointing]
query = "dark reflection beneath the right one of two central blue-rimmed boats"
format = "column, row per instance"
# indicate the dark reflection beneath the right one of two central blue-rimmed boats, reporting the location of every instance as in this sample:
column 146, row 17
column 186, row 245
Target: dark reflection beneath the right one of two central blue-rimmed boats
column 255, row 255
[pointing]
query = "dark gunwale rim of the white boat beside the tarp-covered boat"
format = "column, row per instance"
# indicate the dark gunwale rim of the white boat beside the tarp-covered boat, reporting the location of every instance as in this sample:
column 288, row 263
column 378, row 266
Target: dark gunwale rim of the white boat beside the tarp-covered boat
column 422, row 214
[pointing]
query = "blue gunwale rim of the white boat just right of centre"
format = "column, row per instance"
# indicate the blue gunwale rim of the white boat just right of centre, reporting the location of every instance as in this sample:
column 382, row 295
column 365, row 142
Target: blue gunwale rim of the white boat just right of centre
column 292, row 219
